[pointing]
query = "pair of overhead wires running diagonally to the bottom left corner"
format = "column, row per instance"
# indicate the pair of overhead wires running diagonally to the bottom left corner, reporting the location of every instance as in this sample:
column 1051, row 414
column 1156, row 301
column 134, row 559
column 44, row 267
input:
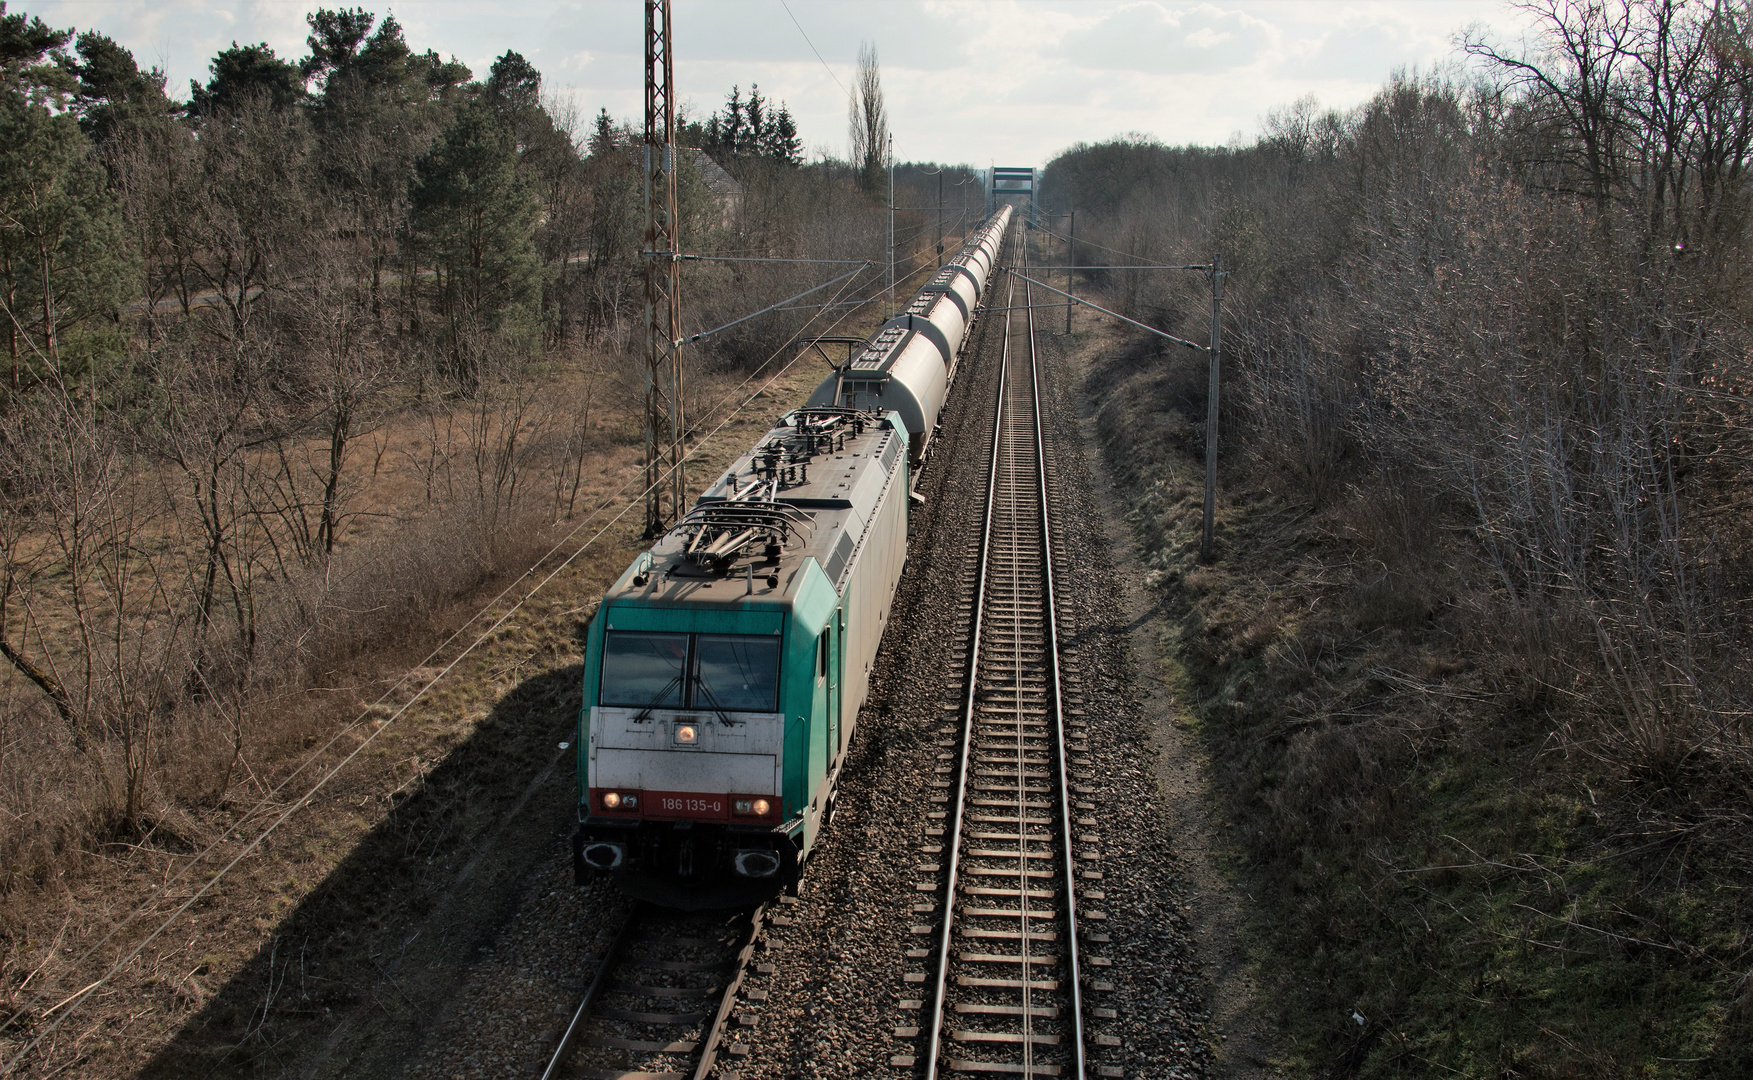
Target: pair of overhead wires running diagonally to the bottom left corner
column 71, row 1004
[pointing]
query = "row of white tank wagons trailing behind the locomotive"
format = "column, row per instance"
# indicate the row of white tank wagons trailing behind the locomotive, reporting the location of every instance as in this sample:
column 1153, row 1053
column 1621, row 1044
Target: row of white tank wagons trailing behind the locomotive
column 911, row 362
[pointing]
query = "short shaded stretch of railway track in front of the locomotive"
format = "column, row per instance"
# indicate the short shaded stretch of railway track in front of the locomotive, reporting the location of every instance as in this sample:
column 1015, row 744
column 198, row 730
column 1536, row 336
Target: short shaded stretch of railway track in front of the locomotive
column 664, row 998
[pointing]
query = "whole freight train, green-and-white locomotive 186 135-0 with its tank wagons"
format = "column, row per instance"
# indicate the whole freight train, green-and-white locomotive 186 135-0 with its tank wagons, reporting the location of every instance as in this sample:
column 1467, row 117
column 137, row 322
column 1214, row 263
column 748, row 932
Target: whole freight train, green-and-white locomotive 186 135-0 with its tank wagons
column 727, row 667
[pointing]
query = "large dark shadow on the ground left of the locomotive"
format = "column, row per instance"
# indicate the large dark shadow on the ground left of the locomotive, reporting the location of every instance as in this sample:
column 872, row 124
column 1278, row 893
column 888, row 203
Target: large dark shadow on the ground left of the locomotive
column 353, row 979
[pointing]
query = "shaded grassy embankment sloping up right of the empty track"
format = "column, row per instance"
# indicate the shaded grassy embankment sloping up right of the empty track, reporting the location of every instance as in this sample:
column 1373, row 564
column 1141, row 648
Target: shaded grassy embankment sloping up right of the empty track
column 1445, row 881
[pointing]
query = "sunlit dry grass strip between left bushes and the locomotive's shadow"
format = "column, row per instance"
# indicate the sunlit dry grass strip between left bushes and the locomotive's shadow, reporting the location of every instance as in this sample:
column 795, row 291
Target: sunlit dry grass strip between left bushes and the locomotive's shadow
column 409, row 593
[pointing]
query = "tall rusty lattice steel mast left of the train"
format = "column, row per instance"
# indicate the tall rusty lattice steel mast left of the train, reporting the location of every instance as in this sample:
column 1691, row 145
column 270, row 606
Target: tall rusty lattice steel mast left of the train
column 665, row 432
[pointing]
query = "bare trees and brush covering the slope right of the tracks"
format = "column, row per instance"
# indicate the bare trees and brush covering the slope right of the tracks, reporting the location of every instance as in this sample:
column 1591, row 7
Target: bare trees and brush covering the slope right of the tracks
column 1491, row 330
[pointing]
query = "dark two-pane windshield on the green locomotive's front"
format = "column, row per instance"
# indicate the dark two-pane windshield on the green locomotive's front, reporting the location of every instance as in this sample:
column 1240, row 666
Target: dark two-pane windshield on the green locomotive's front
column 725, row 672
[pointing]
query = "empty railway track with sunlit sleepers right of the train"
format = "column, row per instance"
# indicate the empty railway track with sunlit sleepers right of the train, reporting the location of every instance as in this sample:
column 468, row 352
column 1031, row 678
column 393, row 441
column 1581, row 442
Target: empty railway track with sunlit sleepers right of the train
column 1007, row 979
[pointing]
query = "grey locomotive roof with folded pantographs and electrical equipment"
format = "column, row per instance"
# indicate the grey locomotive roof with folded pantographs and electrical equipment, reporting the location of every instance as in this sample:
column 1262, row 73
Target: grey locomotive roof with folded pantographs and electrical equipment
column 811, row 485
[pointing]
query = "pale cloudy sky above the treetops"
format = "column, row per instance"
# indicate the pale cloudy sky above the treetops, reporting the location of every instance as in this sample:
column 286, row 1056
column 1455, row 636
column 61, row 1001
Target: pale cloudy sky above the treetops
column 967, row 82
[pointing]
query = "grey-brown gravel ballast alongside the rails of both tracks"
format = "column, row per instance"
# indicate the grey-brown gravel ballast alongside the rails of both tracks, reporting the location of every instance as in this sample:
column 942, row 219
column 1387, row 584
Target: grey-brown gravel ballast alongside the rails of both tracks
column 830, row 986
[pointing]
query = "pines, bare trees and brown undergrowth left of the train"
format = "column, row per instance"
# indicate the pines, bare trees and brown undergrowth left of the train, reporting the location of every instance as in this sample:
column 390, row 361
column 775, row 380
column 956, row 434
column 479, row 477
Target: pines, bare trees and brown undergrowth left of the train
column 301, row 360
